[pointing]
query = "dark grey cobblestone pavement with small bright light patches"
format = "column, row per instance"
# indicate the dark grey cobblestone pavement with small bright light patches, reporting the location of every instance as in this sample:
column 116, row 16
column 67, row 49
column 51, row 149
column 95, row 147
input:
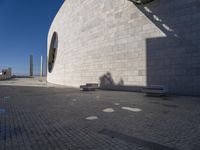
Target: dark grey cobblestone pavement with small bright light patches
column 62, row 118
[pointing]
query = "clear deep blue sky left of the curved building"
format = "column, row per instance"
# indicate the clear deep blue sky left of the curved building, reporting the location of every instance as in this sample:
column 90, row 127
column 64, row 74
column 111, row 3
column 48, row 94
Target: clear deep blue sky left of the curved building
column 24, row 26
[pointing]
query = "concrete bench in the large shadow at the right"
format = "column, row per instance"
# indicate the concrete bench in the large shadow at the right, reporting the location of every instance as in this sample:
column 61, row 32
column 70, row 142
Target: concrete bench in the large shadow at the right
column 155, row 90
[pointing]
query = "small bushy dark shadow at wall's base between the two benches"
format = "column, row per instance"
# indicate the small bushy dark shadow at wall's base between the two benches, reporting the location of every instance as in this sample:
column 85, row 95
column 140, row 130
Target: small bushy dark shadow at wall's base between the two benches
column 107, row 83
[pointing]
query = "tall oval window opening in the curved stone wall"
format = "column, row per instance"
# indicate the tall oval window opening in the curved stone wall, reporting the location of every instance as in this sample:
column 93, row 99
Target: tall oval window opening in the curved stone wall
column 52, row 51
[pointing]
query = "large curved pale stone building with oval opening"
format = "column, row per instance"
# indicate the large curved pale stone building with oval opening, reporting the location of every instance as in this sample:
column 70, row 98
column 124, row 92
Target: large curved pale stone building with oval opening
column 137, row 45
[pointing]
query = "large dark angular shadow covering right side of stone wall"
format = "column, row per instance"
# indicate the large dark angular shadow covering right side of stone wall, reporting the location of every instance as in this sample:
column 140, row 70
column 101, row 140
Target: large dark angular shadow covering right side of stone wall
column 174, row 60
